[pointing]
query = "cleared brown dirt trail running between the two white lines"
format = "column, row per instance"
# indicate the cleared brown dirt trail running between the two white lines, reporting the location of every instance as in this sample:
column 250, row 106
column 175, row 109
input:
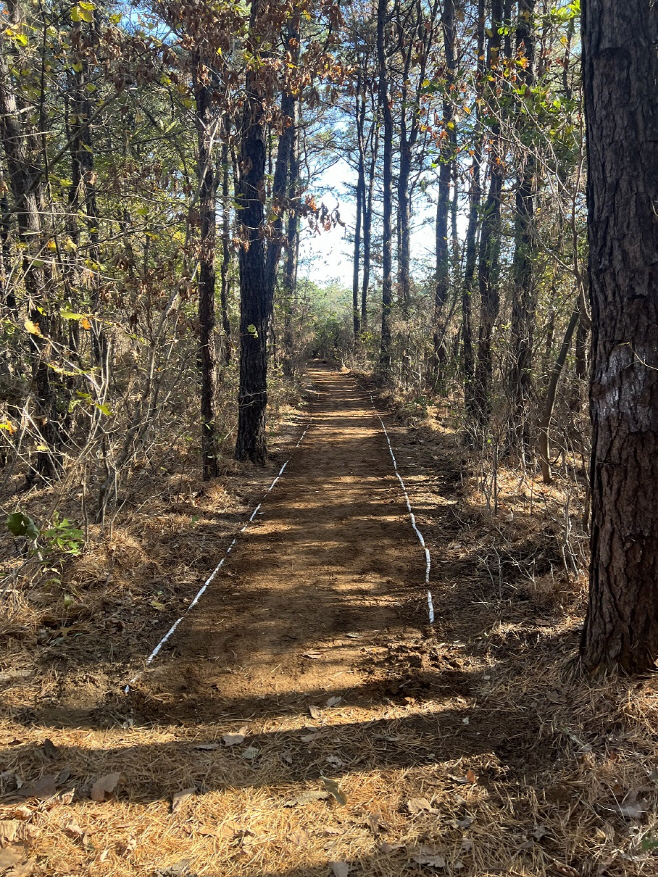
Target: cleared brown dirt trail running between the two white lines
column 315, row 587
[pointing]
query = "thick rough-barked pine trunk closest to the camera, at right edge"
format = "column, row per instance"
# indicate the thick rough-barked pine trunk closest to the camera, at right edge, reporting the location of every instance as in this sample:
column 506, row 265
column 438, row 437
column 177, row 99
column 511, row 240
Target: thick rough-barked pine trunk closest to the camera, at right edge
column 620, row 71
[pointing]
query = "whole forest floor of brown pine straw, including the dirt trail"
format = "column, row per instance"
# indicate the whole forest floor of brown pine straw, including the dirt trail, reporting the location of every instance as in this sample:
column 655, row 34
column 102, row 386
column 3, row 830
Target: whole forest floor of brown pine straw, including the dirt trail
column 305, row 719
